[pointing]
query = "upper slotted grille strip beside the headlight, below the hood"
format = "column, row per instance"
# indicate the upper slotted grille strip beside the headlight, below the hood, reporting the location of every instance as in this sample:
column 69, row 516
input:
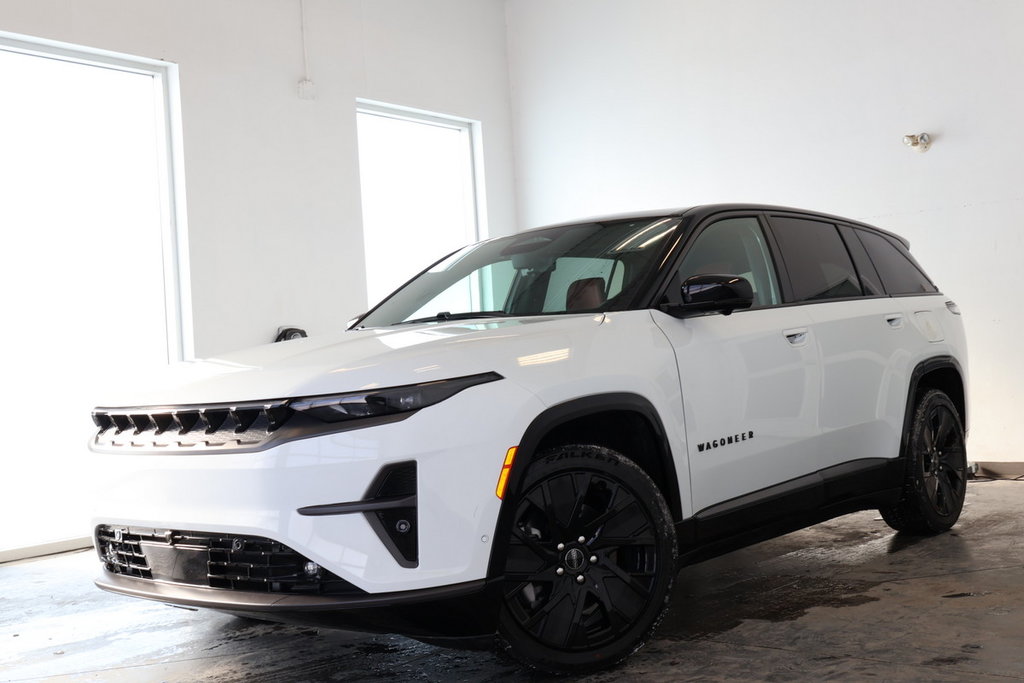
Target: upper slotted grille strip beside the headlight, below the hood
column 225, row 426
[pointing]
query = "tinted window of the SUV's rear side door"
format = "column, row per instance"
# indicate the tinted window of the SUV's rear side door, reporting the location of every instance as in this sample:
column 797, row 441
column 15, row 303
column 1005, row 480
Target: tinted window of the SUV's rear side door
column 817, row 259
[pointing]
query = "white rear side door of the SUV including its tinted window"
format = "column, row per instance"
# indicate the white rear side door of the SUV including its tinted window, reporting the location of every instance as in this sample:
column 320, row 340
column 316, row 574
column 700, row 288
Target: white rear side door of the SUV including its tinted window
column 863, row 336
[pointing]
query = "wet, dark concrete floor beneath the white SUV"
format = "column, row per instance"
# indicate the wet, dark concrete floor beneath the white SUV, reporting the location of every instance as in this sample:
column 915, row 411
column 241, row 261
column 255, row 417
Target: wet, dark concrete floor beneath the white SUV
column 847, row 601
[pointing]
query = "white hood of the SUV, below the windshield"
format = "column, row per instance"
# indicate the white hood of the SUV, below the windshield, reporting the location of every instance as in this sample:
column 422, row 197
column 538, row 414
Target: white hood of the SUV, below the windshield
column 359, row 360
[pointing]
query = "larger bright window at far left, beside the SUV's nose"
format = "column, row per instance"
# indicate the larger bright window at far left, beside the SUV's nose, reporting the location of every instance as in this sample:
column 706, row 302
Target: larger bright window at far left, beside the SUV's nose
column 89, row 268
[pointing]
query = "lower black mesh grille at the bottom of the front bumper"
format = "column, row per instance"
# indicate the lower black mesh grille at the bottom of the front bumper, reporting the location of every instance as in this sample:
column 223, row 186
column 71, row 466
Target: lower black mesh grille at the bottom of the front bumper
column 215, row 561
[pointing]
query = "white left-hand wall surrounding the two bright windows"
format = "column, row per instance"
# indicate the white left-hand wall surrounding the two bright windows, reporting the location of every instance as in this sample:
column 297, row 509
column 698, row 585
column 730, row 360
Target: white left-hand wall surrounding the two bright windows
column 273, row 181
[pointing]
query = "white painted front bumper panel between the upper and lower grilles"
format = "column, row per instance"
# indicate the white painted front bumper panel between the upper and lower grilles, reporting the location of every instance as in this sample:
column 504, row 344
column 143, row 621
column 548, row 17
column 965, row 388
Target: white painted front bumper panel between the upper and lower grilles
column 282, row 493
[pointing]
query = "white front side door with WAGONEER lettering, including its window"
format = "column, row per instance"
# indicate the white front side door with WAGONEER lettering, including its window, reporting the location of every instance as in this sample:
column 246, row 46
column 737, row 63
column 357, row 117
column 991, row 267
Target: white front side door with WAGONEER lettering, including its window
column 750, row 380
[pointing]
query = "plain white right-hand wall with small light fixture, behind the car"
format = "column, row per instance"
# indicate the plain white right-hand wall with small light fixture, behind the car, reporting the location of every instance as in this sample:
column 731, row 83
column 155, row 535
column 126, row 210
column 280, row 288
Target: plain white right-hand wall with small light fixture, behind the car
column 667, row 103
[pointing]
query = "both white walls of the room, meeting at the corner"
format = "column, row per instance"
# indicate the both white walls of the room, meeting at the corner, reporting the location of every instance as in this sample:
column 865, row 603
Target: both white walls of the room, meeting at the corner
column 616, row 106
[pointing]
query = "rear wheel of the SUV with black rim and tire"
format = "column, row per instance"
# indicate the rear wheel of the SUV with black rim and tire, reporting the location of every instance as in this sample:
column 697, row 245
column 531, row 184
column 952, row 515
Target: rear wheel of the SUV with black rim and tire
column 935, row 483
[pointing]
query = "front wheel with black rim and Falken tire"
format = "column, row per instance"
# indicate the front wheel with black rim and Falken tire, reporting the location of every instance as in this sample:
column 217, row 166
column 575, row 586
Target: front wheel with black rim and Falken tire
column 590, row 565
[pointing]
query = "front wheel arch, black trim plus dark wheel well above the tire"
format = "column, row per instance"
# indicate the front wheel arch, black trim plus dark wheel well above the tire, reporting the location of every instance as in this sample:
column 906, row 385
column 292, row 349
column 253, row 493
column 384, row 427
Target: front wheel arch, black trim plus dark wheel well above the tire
column 627, row 423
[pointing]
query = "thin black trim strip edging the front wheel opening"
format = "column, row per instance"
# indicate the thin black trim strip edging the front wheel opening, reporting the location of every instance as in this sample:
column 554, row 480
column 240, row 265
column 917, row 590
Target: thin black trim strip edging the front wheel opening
column 563, row 414
